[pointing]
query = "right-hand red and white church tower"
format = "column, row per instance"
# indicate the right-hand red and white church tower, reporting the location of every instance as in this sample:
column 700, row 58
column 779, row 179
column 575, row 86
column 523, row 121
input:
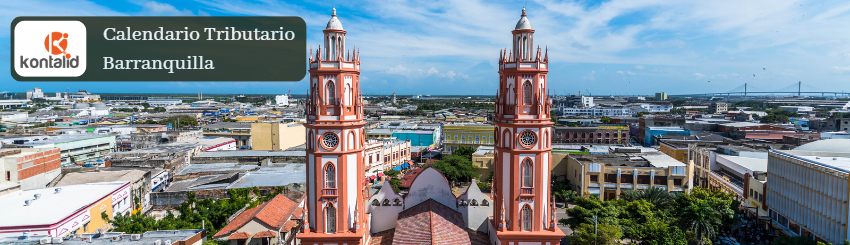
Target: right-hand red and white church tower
column 524, row 210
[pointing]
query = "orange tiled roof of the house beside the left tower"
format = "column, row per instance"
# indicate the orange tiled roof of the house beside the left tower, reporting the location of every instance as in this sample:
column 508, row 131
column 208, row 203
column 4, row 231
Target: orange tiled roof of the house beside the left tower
column 274, row 213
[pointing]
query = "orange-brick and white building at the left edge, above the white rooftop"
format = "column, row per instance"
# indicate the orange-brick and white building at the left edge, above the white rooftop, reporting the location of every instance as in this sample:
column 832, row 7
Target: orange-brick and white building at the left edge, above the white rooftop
column 28, row 168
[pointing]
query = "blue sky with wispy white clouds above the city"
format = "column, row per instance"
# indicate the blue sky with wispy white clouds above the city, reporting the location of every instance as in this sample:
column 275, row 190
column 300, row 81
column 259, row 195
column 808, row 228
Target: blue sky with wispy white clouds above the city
column 450, row 47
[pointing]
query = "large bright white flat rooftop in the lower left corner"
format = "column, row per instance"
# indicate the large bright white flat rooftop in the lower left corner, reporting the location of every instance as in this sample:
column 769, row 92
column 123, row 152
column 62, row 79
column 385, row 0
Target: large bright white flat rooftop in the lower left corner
column 51, row 207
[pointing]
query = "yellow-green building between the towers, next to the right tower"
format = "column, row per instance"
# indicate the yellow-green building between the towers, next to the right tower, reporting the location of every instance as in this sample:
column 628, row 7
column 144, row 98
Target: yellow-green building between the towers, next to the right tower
column 455, row 136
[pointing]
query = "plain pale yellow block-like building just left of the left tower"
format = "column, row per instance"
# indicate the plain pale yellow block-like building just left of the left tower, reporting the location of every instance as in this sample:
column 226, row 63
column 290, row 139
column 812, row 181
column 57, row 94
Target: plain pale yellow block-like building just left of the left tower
column 276, row 136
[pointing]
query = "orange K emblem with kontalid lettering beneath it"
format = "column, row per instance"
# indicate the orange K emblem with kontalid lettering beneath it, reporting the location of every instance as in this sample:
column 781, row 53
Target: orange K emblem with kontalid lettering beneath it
column 55, row 43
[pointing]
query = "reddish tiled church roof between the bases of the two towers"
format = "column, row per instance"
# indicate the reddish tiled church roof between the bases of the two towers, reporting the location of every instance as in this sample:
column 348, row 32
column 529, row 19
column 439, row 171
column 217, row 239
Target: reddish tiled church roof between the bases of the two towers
column 430, row 222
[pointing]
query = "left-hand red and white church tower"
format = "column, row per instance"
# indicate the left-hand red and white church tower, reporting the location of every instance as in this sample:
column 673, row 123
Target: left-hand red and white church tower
column 335, row 138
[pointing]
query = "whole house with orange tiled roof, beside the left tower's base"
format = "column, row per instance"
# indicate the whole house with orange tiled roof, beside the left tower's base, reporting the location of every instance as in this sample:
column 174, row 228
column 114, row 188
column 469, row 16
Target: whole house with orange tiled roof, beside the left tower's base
column 274, row 222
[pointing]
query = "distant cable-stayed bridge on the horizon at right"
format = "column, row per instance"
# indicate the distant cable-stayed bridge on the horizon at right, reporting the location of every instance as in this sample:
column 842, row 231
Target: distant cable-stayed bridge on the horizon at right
column 795, row 89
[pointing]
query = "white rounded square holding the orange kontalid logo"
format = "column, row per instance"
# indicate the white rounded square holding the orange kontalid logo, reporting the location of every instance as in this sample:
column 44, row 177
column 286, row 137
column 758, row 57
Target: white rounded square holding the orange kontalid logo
column 49, row 48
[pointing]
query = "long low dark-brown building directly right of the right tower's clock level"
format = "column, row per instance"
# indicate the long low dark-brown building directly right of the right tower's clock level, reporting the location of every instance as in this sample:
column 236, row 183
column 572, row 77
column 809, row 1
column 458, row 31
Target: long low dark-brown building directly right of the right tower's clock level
column 591, row 135
